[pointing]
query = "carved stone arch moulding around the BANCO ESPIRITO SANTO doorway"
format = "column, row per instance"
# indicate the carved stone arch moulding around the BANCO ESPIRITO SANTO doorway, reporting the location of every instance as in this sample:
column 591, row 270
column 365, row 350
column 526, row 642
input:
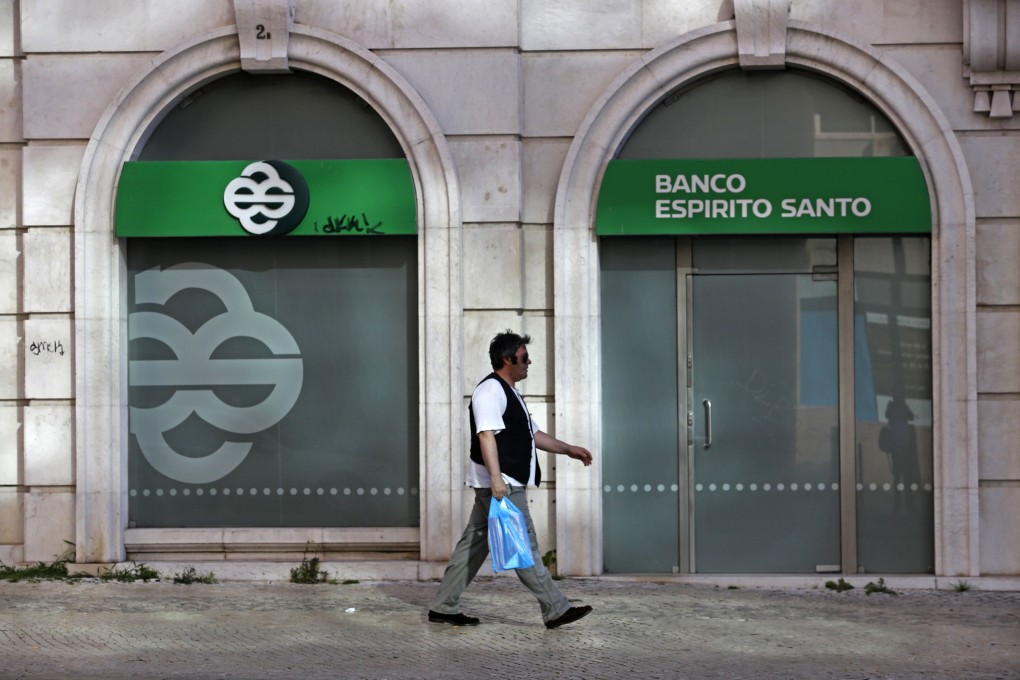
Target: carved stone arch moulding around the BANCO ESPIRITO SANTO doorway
column 577, row 295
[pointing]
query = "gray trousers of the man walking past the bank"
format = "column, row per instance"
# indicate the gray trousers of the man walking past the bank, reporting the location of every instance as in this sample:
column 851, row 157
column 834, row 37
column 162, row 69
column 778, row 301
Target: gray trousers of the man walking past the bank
column 473, row 549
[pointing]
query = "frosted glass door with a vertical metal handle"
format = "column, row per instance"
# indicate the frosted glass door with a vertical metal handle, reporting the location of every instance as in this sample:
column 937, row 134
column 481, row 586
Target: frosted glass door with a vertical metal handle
column 766, row 422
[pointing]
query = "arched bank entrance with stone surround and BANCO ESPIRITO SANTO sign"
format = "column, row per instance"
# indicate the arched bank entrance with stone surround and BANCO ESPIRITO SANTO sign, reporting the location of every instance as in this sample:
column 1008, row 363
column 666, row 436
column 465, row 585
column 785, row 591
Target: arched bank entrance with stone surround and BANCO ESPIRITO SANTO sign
column 759, row 250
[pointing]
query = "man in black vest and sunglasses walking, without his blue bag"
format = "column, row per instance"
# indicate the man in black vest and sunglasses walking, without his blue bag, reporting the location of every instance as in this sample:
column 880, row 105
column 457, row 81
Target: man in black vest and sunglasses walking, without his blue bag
column 504, row 463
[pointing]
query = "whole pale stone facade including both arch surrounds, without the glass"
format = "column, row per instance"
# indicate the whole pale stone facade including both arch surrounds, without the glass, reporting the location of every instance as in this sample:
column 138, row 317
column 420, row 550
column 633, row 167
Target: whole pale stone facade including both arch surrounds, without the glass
column 507, row 111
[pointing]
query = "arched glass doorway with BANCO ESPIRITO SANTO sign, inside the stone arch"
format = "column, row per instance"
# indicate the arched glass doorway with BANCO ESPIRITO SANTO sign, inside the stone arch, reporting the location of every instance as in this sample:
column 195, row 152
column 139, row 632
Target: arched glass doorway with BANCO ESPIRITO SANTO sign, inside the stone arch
column 759, row 351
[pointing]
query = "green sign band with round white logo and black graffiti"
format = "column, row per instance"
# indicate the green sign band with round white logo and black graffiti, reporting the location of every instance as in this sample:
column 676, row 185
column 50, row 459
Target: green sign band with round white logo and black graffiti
column 266, row 198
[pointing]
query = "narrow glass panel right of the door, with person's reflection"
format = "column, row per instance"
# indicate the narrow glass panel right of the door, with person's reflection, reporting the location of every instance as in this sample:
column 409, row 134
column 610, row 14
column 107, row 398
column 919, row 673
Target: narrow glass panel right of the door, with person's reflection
column 893, row 378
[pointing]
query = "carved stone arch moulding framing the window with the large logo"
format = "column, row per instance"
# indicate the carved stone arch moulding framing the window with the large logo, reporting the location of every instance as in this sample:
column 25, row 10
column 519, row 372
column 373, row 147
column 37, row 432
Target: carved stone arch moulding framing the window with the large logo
column 100, row 369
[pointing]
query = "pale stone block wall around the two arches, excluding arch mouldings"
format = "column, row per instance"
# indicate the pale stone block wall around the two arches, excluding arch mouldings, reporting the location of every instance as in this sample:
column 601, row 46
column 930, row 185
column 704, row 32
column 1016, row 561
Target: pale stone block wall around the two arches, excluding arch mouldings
column 509, row 83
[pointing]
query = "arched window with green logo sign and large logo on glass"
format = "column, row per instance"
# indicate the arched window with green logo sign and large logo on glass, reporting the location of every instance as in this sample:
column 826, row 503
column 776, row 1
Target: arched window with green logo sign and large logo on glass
column 273, row 336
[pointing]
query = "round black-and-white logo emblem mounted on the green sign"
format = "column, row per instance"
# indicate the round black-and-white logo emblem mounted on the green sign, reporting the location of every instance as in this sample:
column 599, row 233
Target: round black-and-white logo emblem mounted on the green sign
column 270, row 198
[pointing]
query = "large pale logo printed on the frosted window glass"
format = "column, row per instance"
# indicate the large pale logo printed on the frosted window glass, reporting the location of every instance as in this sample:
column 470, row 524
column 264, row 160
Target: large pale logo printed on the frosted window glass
column 196, row 375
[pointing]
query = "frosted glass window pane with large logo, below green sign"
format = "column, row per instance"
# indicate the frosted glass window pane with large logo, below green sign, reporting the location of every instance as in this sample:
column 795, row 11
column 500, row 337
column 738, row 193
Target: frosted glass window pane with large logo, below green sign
column 273, row 383
